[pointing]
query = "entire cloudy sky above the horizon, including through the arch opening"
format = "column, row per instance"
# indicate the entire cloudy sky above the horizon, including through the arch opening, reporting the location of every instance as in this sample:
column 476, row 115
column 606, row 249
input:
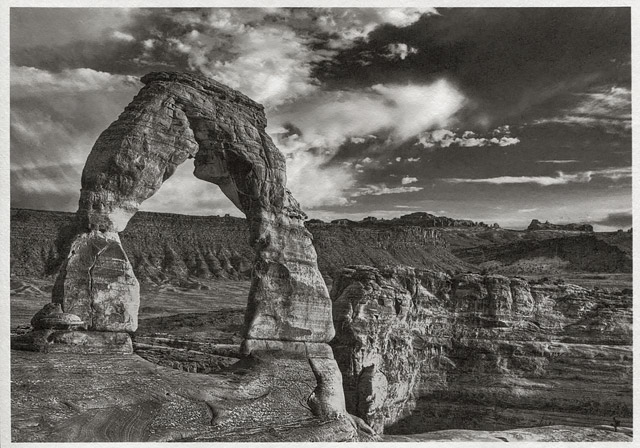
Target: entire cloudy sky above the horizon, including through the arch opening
column 492, row 114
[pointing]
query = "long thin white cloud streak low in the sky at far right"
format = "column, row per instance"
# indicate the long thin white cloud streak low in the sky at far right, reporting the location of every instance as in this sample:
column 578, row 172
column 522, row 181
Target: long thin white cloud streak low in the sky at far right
column 559, row 179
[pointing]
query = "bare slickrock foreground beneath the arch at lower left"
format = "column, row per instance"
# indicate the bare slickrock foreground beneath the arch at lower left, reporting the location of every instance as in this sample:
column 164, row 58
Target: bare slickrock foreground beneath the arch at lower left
column 123, row 398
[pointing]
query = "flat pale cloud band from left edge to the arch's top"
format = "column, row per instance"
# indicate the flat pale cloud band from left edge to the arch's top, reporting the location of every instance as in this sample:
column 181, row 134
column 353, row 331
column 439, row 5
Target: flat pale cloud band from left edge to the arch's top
column 29, row 81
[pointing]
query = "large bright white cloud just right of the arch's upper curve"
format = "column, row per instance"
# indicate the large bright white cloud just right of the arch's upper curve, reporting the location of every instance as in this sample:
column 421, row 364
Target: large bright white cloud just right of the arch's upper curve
column 327, row 121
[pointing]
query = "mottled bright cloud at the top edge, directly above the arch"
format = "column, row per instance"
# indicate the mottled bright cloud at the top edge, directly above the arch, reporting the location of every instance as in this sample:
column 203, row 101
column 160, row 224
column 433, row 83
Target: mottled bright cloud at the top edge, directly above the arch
column 269, row 54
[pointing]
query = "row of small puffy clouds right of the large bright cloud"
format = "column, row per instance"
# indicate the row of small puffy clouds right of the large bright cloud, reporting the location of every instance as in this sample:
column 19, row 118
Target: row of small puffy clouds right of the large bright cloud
column 444, row 138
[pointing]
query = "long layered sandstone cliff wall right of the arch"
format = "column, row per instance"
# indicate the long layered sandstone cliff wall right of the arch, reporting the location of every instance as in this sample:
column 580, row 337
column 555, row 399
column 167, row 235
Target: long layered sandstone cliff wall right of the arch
column 422, row 351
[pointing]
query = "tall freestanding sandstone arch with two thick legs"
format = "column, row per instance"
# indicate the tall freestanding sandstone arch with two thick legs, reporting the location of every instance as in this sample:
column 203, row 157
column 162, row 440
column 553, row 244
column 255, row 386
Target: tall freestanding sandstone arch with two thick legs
column 177, row 116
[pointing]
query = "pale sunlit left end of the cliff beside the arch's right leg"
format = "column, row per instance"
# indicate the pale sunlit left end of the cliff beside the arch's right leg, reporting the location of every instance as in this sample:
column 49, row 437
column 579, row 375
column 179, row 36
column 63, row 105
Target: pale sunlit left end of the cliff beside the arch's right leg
column 382, row 319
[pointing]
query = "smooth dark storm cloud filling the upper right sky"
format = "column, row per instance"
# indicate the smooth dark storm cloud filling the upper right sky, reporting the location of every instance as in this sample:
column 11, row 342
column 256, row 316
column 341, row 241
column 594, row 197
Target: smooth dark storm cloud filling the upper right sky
column 508, row 60
